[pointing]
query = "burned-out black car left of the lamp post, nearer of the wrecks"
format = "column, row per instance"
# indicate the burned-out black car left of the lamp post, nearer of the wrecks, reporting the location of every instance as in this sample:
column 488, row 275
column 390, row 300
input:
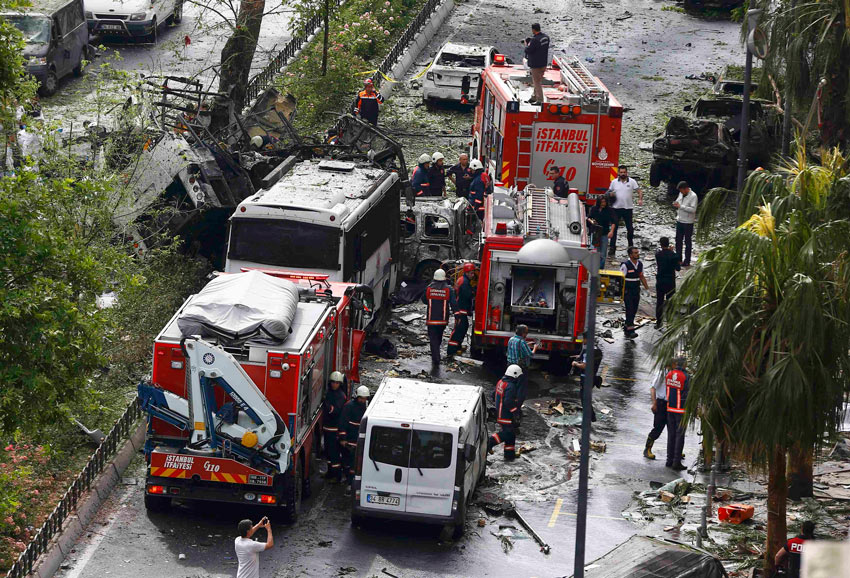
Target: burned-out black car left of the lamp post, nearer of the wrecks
column 702, row 152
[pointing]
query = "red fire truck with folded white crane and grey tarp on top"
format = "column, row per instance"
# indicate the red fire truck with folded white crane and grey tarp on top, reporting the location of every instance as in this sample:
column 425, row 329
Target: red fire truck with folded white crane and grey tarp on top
column 234, row 417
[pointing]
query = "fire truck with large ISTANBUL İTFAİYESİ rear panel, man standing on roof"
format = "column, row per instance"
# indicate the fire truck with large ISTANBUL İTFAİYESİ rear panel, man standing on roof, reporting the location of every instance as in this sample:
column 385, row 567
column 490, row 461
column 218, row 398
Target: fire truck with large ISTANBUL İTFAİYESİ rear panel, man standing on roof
column 577, row 129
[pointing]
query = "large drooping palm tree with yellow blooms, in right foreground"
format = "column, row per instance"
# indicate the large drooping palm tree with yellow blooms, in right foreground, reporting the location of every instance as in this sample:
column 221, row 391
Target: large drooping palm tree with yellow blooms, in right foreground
column 766, row 320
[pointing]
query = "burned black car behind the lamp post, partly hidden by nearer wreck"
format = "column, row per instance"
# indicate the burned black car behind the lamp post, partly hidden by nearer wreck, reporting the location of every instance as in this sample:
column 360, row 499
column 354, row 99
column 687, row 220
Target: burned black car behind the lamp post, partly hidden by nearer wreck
column 765, row 123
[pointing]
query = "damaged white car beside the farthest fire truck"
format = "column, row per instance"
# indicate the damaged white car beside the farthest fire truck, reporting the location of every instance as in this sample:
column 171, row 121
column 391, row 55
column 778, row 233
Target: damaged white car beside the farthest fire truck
column 455, row 73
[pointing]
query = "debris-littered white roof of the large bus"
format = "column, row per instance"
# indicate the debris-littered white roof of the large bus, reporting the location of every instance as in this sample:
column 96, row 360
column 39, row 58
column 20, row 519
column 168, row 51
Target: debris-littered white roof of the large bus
column 321, row 186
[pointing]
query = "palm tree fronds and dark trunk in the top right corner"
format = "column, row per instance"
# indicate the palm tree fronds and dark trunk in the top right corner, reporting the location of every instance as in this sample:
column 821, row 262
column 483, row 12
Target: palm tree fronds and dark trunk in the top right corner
column 810, row 40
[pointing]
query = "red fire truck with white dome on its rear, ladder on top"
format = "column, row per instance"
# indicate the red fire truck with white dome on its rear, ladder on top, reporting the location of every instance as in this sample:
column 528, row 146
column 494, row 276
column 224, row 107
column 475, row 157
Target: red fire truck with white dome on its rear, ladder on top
column 527, row 276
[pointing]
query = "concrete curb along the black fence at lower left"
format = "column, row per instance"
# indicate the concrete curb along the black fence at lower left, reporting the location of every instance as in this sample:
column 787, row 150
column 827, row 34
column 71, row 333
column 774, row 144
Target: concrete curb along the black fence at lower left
column 50, row 562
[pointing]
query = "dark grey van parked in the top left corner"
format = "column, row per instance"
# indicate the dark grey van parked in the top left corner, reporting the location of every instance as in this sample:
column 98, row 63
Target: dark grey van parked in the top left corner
column 56, row 40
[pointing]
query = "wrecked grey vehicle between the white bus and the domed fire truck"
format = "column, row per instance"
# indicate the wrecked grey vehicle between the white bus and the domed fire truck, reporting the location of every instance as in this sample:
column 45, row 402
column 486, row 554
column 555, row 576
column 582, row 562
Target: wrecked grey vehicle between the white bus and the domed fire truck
column 435, row 232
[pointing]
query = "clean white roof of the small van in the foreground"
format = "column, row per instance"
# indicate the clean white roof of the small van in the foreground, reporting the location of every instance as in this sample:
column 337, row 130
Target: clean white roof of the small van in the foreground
column 444, row 404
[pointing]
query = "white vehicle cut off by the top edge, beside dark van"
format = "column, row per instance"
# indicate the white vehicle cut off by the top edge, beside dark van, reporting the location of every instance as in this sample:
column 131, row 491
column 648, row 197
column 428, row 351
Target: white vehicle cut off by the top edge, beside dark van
column 131, row 18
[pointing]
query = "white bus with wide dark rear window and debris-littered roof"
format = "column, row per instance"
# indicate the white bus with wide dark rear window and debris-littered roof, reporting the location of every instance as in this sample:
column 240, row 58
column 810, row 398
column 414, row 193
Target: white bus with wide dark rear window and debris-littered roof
column 322, row 216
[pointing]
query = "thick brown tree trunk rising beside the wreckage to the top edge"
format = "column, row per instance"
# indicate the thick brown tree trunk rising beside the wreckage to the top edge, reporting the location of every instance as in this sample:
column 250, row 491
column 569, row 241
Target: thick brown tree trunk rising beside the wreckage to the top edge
column 236, row 58
